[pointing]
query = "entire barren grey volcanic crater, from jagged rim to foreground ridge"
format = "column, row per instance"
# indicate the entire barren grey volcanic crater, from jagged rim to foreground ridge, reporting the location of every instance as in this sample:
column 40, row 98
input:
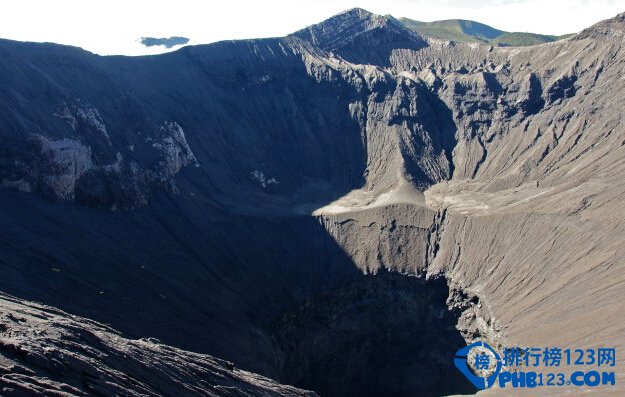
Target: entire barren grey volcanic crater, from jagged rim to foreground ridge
column 324, row 209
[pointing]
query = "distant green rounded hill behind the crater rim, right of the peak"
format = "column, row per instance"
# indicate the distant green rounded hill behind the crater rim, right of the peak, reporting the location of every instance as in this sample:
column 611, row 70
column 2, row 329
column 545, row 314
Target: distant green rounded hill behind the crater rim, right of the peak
column 465, row 31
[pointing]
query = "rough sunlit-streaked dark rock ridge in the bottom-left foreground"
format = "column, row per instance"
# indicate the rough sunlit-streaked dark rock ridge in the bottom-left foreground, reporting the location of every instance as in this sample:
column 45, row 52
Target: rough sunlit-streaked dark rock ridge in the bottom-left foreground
column 67, row 356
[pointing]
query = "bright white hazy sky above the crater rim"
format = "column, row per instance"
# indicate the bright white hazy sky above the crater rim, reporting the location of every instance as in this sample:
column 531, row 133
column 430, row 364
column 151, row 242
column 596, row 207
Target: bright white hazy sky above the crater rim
column 113, row 26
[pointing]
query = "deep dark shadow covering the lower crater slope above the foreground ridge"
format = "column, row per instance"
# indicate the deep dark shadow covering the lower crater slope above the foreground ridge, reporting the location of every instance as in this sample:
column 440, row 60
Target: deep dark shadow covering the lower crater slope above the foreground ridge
column 223, row 287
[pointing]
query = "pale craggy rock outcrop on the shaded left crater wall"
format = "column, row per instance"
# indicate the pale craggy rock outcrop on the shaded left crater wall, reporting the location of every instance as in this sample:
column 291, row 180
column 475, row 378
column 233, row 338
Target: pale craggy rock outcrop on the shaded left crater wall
column 84, row 165
